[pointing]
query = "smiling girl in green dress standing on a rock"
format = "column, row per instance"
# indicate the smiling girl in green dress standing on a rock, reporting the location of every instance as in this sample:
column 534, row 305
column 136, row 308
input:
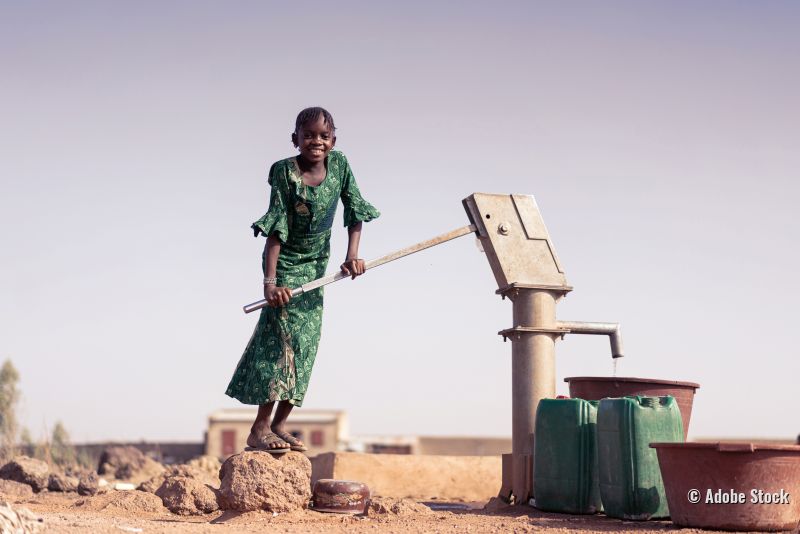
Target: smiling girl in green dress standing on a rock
column 276, row 365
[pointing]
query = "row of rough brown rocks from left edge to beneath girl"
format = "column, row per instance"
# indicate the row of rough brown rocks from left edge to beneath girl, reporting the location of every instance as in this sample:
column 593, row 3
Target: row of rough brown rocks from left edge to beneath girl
column 252, row 480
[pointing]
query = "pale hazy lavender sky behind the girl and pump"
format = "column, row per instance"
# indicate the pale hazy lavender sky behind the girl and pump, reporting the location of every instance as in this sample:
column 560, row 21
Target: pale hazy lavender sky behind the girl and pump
column 661, row 140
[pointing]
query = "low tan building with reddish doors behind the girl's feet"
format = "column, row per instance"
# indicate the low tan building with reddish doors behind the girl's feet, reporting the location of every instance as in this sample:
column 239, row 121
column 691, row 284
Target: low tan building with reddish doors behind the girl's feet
column 320, row 430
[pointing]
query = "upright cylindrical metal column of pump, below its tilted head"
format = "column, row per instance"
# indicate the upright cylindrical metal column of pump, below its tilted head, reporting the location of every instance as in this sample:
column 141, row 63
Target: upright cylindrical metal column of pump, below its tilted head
column 532, row 372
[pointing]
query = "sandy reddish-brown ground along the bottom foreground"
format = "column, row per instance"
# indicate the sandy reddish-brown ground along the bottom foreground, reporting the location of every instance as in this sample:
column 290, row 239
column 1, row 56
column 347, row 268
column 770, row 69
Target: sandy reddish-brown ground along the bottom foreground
column 70, row 514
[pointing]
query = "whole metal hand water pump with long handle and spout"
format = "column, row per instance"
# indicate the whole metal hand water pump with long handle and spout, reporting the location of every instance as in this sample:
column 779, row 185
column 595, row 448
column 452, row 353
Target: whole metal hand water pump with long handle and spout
column 525, row 265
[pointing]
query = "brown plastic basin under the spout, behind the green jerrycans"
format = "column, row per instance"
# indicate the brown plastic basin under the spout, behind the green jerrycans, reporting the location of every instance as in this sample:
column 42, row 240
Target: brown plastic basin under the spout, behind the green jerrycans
column 601, row 387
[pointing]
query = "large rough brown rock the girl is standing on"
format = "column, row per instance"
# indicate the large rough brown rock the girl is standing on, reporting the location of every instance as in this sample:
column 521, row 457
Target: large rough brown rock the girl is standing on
column 256, row 480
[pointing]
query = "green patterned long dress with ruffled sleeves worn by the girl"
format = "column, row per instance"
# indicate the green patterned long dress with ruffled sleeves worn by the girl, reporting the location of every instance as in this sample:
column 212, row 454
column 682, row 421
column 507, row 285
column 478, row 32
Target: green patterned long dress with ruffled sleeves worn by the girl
column 276, row 365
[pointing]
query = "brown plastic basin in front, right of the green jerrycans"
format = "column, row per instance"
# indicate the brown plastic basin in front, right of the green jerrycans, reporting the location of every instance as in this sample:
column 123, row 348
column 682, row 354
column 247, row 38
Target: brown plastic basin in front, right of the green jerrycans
column 734, row 469
